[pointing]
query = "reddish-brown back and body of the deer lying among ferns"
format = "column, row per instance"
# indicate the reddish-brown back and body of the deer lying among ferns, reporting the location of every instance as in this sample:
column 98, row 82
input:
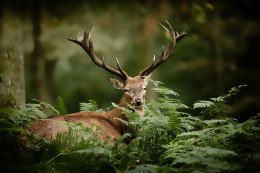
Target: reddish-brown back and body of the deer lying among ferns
column 109, row 128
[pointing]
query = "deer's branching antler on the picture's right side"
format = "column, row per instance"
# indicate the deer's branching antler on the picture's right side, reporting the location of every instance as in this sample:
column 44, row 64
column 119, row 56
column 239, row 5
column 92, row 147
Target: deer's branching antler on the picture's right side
column 175, row 37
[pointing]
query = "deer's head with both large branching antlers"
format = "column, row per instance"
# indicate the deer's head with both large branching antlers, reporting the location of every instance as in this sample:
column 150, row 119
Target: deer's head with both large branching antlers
column 134, row 88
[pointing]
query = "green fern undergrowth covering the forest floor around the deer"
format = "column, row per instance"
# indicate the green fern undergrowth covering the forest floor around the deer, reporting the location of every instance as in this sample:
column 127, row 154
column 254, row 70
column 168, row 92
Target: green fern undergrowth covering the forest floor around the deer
column 166, row 139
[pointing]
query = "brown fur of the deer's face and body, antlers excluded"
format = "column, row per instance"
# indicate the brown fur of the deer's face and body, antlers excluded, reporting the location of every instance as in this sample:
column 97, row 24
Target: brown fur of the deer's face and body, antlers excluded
column 108, row 122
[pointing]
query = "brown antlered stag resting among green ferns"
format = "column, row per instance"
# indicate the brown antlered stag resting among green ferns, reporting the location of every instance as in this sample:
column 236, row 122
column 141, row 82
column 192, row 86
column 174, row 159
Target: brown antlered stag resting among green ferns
column 134, row 91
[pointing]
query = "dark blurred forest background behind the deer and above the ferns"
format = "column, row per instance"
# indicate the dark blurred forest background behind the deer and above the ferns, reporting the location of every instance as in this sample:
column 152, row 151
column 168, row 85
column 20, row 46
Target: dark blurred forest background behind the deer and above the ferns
column 220, row 52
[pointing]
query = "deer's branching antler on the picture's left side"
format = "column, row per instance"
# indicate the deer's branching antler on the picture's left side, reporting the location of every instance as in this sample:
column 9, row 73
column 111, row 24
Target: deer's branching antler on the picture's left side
column 87, row 45
